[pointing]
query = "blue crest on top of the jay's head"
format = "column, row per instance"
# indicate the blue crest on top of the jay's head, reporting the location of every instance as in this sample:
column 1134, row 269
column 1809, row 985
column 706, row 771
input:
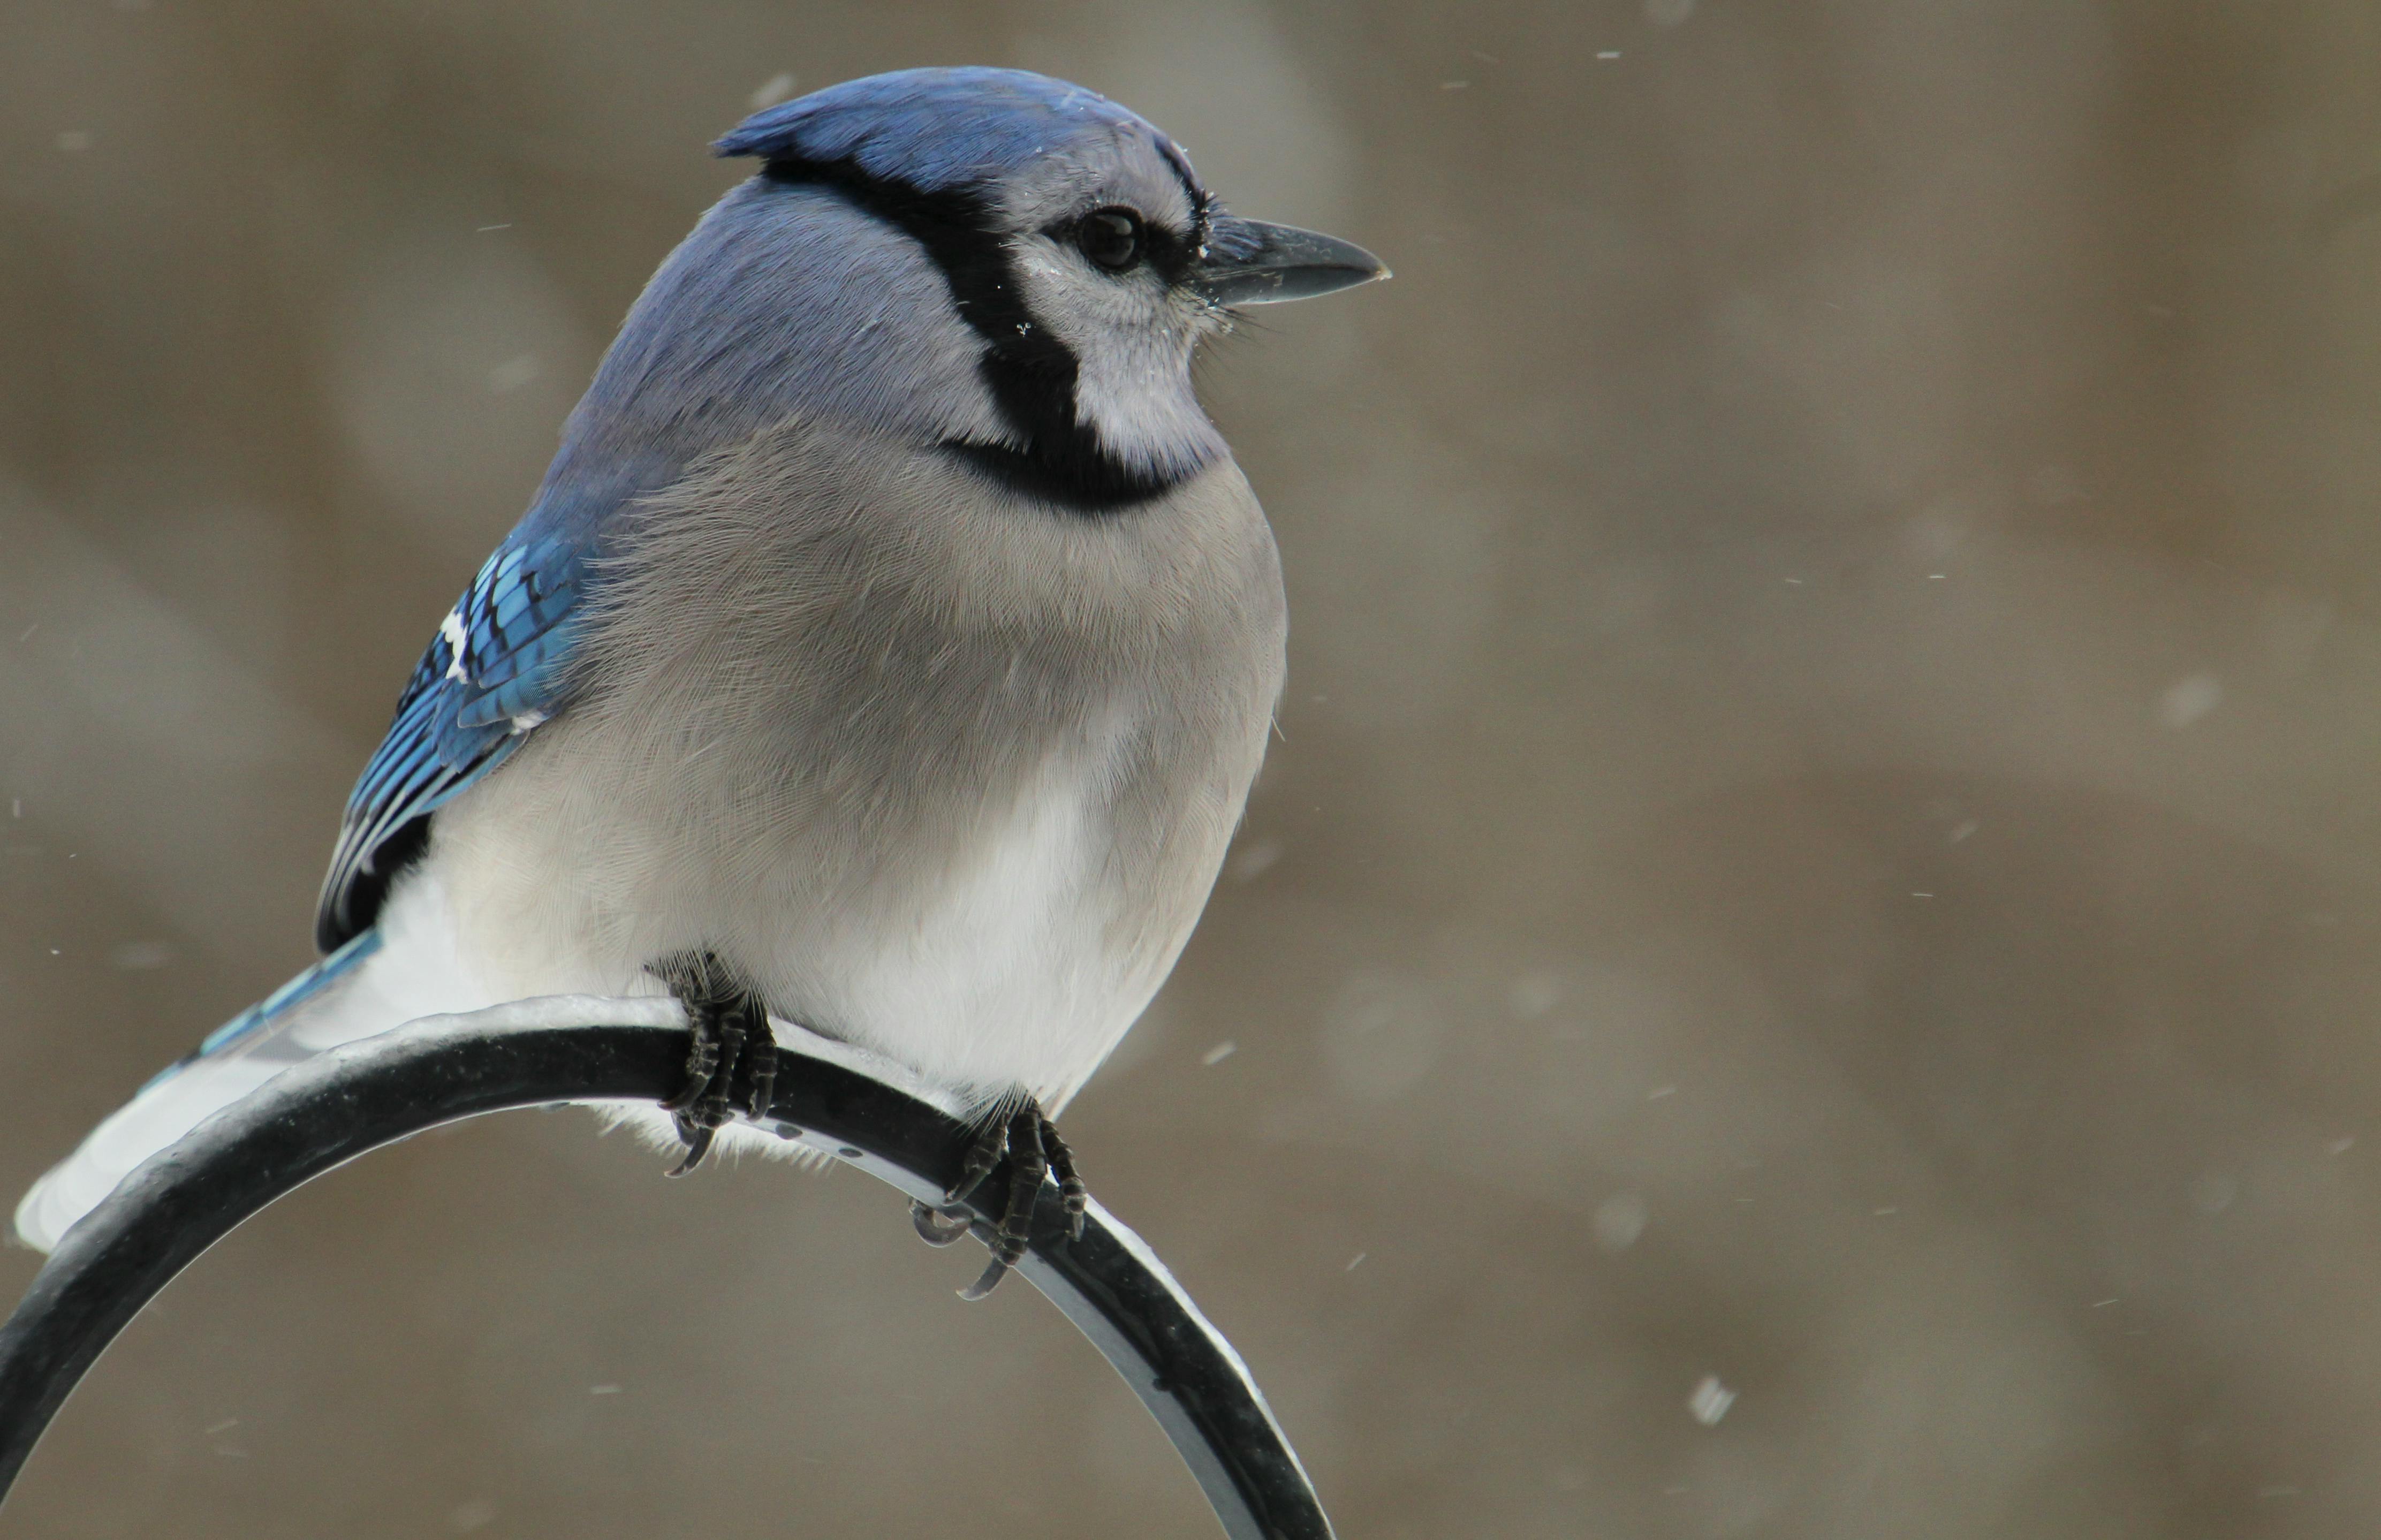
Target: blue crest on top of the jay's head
column 937, row 130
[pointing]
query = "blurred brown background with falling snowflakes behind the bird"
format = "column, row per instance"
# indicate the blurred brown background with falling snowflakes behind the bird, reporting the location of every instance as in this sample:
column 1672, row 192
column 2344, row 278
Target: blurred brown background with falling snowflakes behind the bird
column 1825, row 830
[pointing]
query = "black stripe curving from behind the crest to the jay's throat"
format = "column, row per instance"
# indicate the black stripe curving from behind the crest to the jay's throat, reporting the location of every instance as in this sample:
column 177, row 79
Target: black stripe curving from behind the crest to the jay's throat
column 1027, row 368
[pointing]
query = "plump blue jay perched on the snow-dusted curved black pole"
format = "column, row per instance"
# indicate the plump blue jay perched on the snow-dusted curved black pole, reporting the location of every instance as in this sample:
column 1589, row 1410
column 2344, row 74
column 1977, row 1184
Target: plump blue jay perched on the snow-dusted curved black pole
column 889, row 649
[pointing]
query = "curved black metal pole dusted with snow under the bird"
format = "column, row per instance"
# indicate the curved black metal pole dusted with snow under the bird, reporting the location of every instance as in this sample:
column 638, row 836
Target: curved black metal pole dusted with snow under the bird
column 373, row 1094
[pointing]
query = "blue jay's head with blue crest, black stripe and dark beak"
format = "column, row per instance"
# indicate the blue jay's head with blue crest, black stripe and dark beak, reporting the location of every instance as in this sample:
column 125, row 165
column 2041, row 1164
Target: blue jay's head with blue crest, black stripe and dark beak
column 1011, row 263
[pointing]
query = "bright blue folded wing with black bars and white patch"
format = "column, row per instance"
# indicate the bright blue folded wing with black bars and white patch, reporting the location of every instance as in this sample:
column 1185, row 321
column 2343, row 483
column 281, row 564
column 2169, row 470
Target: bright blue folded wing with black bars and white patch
column 496, row 670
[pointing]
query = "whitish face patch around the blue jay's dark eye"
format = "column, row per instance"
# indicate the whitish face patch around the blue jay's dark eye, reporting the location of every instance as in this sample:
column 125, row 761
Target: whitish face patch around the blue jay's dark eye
column 1104, row 246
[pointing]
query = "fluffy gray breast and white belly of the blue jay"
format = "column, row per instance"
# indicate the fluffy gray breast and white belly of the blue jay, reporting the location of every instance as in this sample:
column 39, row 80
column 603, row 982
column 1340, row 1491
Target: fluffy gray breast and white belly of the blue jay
column 942, row 772
